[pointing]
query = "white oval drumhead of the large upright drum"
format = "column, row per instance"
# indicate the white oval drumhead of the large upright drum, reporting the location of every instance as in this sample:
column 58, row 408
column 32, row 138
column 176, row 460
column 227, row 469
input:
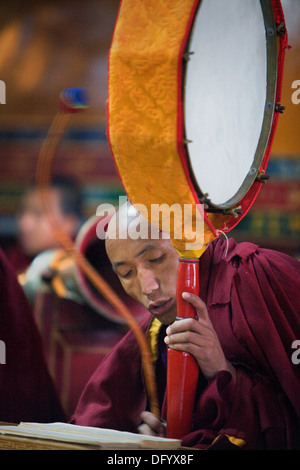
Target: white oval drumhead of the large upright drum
column 225, row 94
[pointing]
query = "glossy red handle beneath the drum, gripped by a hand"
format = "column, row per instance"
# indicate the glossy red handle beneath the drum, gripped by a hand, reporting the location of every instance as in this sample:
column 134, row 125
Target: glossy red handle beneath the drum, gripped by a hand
column 182, row 368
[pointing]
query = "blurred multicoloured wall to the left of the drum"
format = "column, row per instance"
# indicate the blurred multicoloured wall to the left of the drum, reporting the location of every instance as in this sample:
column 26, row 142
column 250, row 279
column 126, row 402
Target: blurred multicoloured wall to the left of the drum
column 45, row 47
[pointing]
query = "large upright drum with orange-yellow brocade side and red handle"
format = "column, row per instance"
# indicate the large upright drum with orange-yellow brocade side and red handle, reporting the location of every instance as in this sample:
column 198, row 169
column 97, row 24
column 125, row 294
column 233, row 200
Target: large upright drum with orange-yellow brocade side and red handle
column 194, row 96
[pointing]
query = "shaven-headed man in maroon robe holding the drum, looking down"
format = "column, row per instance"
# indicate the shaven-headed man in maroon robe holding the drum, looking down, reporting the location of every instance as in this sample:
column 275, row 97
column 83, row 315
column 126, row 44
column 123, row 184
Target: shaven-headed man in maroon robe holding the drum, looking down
column 248, row 312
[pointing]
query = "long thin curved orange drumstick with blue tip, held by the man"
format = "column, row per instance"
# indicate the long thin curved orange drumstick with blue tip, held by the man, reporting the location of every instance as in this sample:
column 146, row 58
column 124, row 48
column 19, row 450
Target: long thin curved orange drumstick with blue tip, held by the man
column 71, row 101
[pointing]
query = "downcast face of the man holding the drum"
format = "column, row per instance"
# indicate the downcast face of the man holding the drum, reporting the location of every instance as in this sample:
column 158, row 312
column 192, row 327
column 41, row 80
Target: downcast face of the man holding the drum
column 147, row 270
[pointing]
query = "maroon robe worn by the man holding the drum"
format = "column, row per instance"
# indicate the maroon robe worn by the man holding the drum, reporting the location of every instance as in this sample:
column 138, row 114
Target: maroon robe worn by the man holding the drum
column 253, row 299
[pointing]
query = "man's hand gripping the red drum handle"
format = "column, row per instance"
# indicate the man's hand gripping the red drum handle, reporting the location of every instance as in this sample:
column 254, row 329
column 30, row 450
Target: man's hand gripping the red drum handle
column 198, row 337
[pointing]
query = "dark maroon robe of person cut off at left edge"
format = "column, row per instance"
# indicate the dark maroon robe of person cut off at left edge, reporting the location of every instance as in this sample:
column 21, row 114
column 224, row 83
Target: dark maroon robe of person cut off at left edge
column 26, row 389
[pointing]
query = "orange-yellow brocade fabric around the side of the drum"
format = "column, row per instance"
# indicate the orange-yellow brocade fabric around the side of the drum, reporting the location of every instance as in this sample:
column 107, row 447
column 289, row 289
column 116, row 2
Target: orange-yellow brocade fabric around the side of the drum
column 143, row 107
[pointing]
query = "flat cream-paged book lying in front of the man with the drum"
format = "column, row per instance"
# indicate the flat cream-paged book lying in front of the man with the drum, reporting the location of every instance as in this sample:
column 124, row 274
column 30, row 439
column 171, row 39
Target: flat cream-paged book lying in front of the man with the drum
column 68, row 436
